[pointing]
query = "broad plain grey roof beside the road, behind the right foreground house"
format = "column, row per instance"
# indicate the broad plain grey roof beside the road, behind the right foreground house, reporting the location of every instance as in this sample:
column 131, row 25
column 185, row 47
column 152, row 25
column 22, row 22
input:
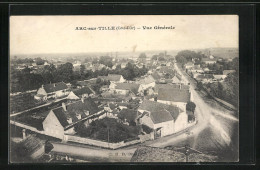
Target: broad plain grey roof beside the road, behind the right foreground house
column 175, row 95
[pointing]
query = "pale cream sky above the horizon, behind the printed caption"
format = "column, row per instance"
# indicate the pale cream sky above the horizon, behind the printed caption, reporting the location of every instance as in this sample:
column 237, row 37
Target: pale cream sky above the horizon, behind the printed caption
column 57, row 34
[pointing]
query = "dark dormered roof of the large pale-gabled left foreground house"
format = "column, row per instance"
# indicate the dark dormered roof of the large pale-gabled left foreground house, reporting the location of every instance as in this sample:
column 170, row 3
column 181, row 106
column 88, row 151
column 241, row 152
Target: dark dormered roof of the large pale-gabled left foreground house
column 73, row 109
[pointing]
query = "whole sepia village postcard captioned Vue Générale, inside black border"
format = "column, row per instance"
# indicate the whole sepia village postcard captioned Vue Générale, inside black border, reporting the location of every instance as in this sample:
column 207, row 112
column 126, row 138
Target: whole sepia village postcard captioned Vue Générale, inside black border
column 124, row 88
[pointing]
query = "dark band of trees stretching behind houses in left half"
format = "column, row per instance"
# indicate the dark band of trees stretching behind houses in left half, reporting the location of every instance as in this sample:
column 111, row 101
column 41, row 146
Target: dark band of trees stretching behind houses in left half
column 23, row 80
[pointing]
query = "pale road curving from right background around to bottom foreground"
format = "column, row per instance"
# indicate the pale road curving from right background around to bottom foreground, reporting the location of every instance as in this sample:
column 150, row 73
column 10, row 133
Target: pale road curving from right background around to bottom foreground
column 216, row 132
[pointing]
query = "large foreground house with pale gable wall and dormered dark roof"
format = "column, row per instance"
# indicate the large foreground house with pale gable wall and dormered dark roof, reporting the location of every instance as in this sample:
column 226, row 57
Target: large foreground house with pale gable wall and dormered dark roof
column 61, row 120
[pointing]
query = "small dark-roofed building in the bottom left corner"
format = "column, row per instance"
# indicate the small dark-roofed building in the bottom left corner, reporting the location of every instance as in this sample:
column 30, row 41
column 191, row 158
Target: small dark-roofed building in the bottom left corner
column 31, row 147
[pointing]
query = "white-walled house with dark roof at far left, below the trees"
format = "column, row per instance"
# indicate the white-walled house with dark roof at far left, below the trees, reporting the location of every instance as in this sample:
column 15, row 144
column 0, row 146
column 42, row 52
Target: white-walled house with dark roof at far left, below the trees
column 54, row 90
